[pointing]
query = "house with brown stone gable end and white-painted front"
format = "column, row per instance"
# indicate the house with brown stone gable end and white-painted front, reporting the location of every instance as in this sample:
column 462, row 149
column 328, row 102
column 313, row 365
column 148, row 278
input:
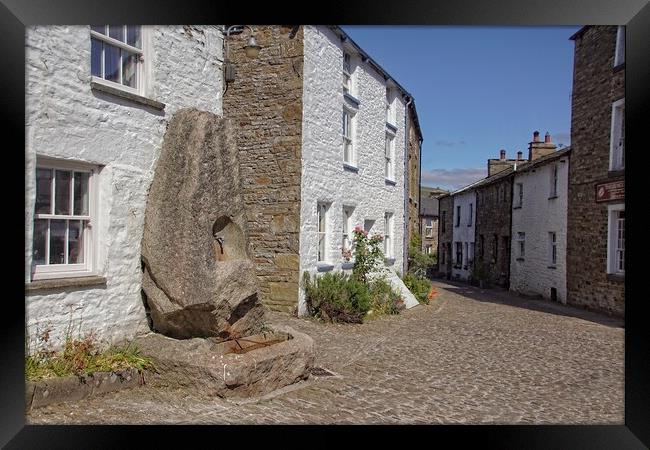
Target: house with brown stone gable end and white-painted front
column 324, row 136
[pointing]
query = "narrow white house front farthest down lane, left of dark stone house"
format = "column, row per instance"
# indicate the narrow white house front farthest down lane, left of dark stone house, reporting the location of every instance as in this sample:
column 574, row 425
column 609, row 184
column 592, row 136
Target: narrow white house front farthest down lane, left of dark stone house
column 463, row 233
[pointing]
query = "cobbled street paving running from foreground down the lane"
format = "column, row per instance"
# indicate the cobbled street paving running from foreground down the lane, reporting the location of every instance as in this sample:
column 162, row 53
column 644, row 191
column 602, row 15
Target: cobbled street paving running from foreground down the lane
column 471, row 356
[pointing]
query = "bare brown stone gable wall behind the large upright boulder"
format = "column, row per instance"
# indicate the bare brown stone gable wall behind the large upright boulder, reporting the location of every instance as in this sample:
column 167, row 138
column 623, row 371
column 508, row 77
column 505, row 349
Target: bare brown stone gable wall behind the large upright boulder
column 265, row 103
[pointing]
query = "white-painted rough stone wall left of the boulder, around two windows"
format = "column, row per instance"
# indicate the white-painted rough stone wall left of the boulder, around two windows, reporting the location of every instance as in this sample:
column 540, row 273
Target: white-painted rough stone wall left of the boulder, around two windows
column 65, row 119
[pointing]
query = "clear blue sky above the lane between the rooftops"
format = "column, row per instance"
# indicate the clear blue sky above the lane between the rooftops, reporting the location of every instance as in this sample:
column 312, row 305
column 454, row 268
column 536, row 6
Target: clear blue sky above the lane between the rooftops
column 477, row 90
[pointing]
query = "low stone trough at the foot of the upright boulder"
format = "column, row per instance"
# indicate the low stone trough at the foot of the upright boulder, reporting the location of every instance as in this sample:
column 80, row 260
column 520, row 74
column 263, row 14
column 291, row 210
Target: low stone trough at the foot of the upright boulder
column 214, row 371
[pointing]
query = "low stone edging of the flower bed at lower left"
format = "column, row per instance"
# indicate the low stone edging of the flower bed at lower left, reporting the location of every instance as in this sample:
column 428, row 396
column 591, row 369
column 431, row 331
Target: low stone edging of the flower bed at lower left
column 65, row 389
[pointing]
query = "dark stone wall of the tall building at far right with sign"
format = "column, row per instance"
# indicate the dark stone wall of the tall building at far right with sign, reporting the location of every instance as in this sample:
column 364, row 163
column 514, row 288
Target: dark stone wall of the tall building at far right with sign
column 596, row 86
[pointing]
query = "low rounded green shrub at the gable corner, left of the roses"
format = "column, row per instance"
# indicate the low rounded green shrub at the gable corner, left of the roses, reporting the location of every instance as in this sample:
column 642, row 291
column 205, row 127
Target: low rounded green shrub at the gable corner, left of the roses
column 336, row 297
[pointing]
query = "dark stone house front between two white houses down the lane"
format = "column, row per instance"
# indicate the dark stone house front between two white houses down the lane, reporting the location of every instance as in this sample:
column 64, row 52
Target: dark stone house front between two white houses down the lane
column 493, row 215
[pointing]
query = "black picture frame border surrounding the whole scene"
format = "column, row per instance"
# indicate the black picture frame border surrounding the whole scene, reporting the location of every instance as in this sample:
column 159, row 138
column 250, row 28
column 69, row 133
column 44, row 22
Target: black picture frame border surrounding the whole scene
column 15, row 15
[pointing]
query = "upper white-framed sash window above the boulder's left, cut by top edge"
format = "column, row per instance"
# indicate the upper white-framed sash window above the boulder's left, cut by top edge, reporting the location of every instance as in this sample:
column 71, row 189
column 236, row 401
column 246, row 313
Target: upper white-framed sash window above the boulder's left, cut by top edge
column 116, row 55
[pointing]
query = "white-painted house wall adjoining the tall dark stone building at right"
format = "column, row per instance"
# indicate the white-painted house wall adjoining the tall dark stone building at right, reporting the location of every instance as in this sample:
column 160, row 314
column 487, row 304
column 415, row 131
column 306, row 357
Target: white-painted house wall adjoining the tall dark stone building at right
column 537, row 217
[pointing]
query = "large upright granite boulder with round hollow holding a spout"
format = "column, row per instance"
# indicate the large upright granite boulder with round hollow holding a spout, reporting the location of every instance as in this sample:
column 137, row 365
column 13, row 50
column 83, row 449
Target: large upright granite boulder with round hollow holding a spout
column 198, row 280
